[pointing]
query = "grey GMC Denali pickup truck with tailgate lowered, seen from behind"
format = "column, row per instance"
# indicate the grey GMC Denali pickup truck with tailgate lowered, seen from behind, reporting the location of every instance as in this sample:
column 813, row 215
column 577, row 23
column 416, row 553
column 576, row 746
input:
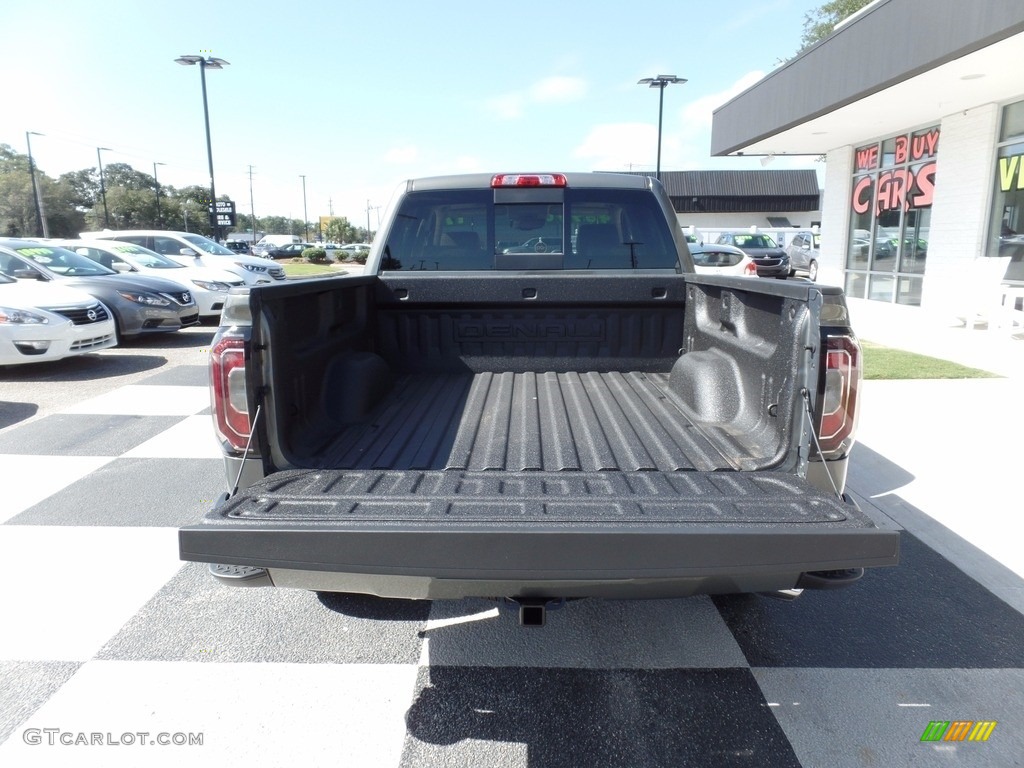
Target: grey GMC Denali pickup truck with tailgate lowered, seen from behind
column 582, row 417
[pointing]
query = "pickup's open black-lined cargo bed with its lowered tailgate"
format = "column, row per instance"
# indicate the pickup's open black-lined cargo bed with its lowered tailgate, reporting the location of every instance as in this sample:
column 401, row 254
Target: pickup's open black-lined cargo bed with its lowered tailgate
column 535, row 436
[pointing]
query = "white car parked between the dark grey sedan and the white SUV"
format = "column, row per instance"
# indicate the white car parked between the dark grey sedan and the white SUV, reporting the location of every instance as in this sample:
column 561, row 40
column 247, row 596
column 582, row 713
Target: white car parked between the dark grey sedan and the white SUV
column 208, row 285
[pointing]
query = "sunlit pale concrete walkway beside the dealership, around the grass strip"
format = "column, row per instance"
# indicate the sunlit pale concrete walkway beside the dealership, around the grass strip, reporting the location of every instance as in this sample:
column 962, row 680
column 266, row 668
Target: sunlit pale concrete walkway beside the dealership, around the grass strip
column 943, row 458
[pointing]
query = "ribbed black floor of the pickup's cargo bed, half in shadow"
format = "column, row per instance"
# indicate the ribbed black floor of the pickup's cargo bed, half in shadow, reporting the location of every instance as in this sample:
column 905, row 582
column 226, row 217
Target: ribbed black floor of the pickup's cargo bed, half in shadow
column 551, row 422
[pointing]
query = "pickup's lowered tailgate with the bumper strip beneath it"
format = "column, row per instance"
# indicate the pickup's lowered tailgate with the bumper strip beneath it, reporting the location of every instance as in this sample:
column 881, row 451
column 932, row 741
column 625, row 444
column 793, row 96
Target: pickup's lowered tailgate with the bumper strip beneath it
column 391, row 546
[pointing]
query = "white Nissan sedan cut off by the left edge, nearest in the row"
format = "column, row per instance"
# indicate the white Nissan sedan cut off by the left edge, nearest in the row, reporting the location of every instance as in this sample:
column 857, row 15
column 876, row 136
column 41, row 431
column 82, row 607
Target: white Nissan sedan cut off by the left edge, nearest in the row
column 44, row 322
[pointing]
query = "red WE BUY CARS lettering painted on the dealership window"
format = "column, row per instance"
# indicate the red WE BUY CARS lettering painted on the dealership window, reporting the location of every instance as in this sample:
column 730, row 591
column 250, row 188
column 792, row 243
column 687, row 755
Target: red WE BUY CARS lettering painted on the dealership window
column 898, row 189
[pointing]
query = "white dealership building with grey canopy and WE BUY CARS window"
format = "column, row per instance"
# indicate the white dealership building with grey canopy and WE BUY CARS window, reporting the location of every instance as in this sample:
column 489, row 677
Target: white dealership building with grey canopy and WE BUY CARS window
column 918, row 110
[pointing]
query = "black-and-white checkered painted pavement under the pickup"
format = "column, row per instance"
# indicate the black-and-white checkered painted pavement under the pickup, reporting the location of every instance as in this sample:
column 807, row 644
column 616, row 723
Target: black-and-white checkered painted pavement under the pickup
column 107, row 632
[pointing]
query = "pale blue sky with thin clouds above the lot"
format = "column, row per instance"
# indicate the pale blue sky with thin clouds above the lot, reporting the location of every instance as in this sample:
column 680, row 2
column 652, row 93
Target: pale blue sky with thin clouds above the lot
column 359, row 97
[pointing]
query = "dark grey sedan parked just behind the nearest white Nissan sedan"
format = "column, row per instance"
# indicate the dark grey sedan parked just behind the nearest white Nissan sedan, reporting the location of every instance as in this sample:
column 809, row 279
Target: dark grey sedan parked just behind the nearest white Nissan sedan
column 140, row 305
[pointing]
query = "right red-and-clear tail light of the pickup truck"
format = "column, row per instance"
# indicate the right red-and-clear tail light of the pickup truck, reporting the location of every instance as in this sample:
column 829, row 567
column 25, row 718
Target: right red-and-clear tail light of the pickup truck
column 839, row 404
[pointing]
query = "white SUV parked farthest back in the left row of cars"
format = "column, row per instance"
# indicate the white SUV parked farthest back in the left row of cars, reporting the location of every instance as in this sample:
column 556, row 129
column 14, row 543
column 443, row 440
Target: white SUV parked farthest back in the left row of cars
column 195, row 250
